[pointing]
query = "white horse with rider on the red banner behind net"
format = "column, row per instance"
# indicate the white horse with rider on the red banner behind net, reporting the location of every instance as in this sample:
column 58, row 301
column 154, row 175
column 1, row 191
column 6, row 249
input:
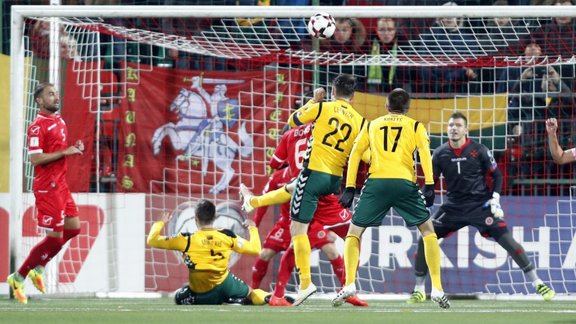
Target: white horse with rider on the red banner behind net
column 195, row 134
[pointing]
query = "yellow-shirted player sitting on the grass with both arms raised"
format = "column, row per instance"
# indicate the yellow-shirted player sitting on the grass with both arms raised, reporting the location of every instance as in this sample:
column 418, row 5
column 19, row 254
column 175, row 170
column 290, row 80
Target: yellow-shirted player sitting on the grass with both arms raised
column 207, row 253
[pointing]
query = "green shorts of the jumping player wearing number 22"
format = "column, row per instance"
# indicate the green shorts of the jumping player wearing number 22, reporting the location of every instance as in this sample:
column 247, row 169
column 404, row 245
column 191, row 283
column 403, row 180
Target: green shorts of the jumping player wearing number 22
column 310, row 186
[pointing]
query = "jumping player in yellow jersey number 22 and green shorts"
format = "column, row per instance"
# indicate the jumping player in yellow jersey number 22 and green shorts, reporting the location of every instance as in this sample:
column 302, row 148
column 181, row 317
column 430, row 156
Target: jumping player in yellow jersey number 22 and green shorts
column 335, row 126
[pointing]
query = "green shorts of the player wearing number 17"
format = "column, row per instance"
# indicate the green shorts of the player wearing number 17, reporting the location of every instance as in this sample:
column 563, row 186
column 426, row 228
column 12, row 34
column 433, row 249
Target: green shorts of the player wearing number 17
column 379, row 195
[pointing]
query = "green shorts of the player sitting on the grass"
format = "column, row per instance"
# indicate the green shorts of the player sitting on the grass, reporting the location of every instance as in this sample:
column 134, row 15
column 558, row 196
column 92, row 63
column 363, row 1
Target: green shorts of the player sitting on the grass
column 231, row 287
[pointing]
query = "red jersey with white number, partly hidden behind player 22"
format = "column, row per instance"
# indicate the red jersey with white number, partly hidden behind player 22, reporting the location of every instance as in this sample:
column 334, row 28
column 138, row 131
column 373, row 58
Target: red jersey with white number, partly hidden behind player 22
column 292, row 148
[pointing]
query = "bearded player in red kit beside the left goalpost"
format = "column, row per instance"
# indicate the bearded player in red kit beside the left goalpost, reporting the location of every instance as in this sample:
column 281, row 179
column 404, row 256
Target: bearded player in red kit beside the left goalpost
column 56, row 211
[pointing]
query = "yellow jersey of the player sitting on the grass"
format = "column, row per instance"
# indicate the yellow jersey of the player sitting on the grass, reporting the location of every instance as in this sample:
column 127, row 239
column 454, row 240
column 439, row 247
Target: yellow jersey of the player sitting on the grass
column 206, row 252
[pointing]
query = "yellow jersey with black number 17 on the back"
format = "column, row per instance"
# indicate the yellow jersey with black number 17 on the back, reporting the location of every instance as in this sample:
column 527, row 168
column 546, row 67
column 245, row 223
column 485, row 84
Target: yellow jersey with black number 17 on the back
column 392, row 140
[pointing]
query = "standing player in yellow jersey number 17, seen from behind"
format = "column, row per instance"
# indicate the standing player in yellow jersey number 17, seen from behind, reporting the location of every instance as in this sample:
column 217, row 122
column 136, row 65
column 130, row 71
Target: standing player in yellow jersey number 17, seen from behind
column 392, row 140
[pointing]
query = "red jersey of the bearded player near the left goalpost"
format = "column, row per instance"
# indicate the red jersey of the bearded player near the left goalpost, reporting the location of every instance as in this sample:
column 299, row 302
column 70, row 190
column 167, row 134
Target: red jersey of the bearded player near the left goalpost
column 47, row 134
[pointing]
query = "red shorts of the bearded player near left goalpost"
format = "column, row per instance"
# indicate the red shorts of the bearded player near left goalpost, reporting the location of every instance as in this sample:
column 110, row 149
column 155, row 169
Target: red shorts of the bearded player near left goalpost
column 52, row 206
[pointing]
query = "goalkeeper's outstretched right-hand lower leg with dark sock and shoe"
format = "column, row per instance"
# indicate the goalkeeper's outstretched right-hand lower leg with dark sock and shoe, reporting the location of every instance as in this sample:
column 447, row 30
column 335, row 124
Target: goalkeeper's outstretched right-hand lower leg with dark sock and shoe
column 499, row 231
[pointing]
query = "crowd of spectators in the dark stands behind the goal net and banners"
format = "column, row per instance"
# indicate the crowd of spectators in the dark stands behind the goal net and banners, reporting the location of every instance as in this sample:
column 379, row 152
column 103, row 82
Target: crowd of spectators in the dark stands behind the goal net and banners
column 537, row 86
